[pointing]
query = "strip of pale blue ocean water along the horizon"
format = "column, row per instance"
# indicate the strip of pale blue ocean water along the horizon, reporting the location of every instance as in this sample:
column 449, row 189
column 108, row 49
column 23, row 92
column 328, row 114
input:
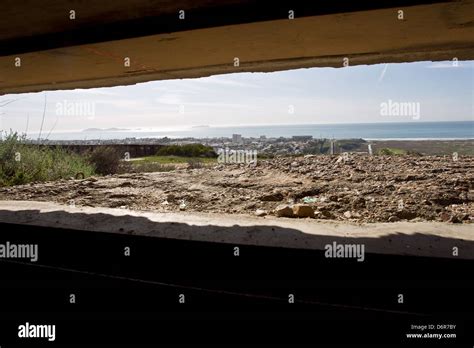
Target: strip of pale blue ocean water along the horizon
column 408, row 130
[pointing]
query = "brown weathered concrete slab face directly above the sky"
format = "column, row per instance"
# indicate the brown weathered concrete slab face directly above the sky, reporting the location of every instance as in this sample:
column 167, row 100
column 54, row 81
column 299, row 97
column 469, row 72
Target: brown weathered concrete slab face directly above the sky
column 439, row 31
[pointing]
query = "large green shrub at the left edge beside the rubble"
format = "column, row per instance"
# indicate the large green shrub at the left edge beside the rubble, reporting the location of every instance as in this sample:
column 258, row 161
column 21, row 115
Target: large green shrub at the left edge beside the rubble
column 21, row 163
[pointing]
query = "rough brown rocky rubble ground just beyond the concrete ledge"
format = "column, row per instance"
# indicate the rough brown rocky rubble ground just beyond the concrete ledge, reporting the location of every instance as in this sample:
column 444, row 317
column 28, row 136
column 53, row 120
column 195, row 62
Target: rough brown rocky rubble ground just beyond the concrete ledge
column 357, row 188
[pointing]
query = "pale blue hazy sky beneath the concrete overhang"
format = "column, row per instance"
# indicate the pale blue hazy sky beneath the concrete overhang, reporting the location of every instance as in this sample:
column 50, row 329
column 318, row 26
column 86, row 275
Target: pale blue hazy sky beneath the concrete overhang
column 442, row 90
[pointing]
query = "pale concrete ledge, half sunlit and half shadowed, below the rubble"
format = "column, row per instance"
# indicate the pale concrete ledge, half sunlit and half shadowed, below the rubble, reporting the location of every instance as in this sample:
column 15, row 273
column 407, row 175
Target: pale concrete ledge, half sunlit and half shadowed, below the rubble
column 432, row 239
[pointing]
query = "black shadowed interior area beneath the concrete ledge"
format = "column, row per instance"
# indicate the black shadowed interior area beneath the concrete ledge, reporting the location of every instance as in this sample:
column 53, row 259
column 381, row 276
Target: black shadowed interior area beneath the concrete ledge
column 264, row 295
